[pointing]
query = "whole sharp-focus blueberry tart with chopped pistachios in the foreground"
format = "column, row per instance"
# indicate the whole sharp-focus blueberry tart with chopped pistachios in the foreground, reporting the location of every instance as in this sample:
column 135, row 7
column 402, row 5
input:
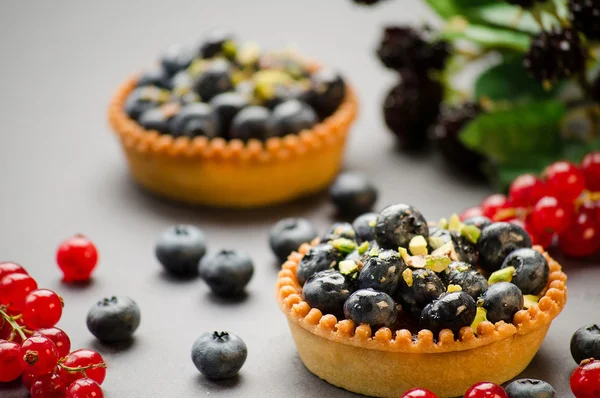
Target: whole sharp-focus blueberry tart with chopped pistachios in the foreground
column 440, row 308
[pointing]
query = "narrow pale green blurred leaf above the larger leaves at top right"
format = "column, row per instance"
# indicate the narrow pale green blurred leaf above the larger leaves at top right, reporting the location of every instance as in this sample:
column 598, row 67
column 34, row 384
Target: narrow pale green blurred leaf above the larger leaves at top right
column 486, row 36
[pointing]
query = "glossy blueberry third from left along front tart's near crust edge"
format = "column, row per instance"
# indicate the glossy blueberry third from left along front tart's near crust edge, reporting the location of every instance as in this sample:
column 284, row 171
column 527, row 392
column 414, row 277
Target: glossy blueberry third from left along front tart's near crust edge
column 452, row 311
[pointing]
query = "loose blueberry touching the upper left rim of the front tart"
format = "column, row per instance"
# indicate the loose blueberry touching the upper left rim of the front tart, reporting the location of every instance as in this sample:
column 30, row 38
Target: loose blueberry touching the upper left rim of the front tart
column 288, row 234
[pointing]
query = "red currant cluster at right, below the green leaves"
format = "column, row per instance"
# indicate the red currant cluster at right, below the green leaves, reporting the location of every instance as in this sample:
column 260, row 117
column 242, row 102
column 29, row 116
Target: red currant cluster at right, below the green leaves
column 564, row 203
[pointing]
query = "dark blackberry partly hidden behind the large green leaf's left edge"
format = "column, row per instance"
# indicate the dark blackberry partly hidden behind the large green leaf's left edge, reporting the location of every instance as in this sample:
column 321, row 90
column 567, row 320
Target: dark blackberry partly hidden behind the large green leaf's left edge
column 445, row 135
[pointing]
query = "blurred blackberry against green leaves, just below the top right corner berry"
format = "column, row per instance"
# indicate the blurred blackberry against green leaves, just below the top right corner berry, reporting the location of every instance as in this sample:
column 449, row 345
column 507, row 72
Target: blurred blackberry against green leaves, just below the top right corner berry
column 555, row 55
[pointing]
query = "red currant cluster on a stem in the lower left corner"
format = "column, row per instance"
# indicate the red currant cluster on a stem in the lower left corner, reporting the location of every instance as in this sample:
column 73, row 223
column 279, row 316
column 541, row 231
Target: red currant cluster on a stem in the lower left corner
column 31, row 347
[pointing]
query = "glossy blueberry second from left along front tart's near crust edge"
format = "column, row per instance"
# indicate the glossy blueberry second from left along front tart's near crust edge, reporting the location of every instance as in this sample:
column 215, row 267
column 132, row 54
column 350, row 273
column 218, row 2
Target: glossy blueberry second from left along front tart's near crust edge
column 377, row 309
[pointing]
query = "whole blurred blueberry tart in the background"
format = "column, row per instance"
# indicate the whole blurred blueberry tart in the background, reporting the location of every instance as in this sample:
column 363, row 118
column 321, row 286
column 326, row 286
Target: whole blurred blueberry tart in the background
column 226, row 125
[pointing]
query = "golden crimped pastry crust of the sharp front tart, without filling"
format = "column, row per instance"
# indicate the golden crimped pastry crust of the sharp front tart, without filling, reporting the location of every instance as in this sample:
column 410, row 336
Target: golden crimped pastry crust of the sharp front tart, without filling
column 386, row 364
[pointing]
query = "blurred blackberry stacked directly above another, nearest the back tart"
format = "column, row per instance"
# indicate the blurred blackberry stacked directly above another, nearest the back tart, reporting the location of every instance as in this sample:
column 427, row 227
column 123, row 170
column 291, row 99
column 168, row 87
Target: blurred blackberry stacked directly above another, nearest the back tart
column 403, row 47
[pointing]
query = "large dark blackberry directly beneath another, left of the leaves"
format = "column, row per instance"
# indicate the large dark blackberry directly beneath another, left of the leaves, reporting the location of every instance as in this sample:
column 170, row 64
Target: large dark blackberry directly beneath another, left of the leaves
column 410, row 108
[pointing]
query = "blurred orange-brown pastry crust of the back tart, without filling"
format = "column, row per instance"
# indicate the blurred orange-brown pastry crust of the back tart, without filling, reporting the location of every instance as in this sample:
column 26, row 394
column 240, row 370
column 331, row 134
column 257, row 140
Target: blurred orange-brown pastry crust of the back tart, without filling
column 233, row 174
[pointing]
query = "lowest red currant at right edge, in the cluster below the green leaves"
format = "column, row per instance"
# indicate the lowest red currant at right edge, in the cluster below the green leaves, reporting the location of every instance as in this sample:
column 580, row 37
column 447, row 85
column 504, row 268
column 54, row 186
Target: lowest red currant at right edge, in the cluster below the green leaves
column 582, row 239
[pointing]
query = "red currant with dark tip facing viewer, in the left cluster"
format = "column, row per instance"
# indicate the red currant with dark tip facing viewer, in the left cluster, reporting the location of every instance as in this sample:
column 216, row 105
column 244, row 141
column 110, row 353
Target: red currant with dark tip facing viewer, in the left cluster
column 38, row 355
